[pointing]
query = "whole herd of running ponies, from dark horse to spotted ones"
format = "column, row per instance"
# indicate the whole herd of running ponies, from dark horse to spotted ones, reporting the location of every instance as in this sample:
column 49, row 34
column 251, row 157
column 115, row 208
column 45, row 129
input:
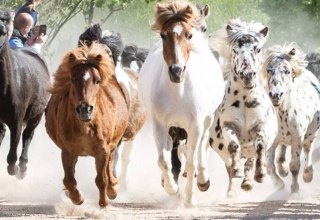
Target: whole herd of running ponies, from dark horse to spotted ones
column 227, row 92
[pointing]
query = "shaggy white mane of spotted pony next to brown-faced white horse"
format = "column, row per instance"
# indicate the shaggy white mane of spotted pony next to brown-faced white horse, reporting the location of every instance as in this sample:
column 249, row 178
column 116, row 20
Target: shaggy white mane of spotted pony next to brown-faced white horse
column 222, row 41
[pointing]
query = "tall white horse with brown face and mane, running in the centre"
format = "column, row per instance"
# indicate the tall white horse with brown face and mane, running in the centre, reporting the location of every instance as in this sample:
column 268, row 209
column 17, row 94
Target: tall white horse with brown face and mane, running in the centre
column 181, row 84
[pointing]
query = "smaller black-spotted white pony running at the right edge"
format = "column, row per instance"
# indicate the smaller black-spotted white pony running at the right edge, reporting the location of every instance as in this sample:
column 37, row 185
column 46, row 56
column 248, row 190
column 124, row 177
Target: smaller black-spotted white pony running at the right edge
column 295, row 92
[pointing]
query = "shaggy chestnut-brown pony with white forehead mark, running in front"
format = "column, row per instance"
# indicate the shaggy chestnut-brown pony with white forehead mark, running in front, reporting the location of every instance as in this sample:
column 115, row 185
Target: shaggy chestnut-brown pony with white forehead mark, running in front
column 87, row 115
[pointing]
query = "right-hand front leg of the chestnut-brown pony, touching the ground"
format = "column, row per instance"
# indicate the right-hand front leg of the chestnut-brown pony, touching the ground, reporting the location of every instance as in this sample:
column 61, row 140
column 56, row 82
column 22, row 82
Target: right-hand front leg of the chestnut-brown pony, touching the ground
column 102, row 178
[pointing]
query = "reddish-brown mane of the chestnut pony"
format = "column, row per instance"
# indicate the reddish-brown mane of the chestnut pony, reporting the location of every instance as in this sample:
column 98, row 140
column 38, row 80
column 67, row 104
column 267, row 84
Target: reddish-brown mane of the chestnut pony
column 95, row 55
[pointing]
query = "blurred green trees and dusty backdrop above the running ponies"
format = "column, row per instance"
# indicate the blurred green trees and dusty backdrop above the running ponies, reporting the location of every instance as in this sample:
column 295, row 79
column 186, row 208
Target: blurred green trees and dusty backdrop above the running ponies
column 289, row 20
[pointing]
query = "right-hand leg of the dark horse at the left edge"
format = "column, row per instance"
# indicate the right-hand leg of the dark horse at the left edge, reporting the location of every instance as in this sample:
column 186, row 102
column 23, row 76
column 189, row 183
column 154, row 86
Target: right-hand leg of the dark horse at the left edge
column 27, row 136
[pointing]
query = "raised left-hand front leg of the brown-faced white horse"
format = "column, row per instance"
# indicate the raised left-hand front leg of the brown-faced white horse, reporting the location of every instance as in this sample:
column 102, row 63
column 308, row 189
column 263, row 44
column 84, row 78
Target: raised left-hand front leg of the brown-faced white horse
column 164, row 146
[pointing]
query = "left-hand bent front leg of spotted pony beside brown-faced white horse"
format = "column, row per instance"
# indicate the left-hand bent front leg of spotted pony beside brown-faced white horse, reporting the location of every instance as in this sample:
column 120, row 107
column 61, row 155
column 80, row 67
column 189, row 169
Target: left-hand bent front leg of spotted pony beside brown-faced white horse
column 234, row 150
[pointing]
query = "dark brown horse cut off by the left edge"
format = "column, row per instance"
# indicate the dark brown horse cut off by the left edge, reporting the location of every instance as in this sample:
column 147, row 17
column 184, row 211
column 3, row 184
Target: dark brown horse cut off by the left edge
column 24, row 80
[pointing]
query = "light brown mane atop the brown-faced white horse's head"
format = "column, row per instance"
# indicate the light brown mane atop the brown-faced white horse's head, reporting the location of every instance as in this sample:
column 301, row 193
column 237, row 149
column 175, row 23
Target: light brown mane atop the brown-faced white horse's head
column 175, row 11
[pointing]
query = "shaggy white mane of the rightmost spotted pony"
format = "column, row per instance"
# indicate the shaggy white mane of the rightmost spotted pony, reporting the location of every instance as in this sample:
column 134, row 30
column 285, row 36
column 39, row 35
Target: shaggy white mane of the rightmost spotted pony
column 297, row 60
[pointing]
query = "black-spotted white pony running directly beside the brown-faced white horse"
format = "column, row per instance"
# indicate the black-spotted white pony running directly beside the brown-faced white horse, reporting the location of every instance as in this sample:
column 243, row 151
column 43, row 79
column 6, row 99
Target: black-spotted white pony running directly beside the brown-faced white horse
column 245, row 123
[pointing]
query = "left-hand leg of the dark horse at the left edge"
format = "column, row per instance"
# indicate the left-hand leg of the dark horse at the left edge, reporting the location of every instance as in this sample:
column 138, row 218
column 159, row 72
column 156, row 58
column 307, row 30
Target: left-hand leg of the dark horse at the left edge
column 15, row 133
